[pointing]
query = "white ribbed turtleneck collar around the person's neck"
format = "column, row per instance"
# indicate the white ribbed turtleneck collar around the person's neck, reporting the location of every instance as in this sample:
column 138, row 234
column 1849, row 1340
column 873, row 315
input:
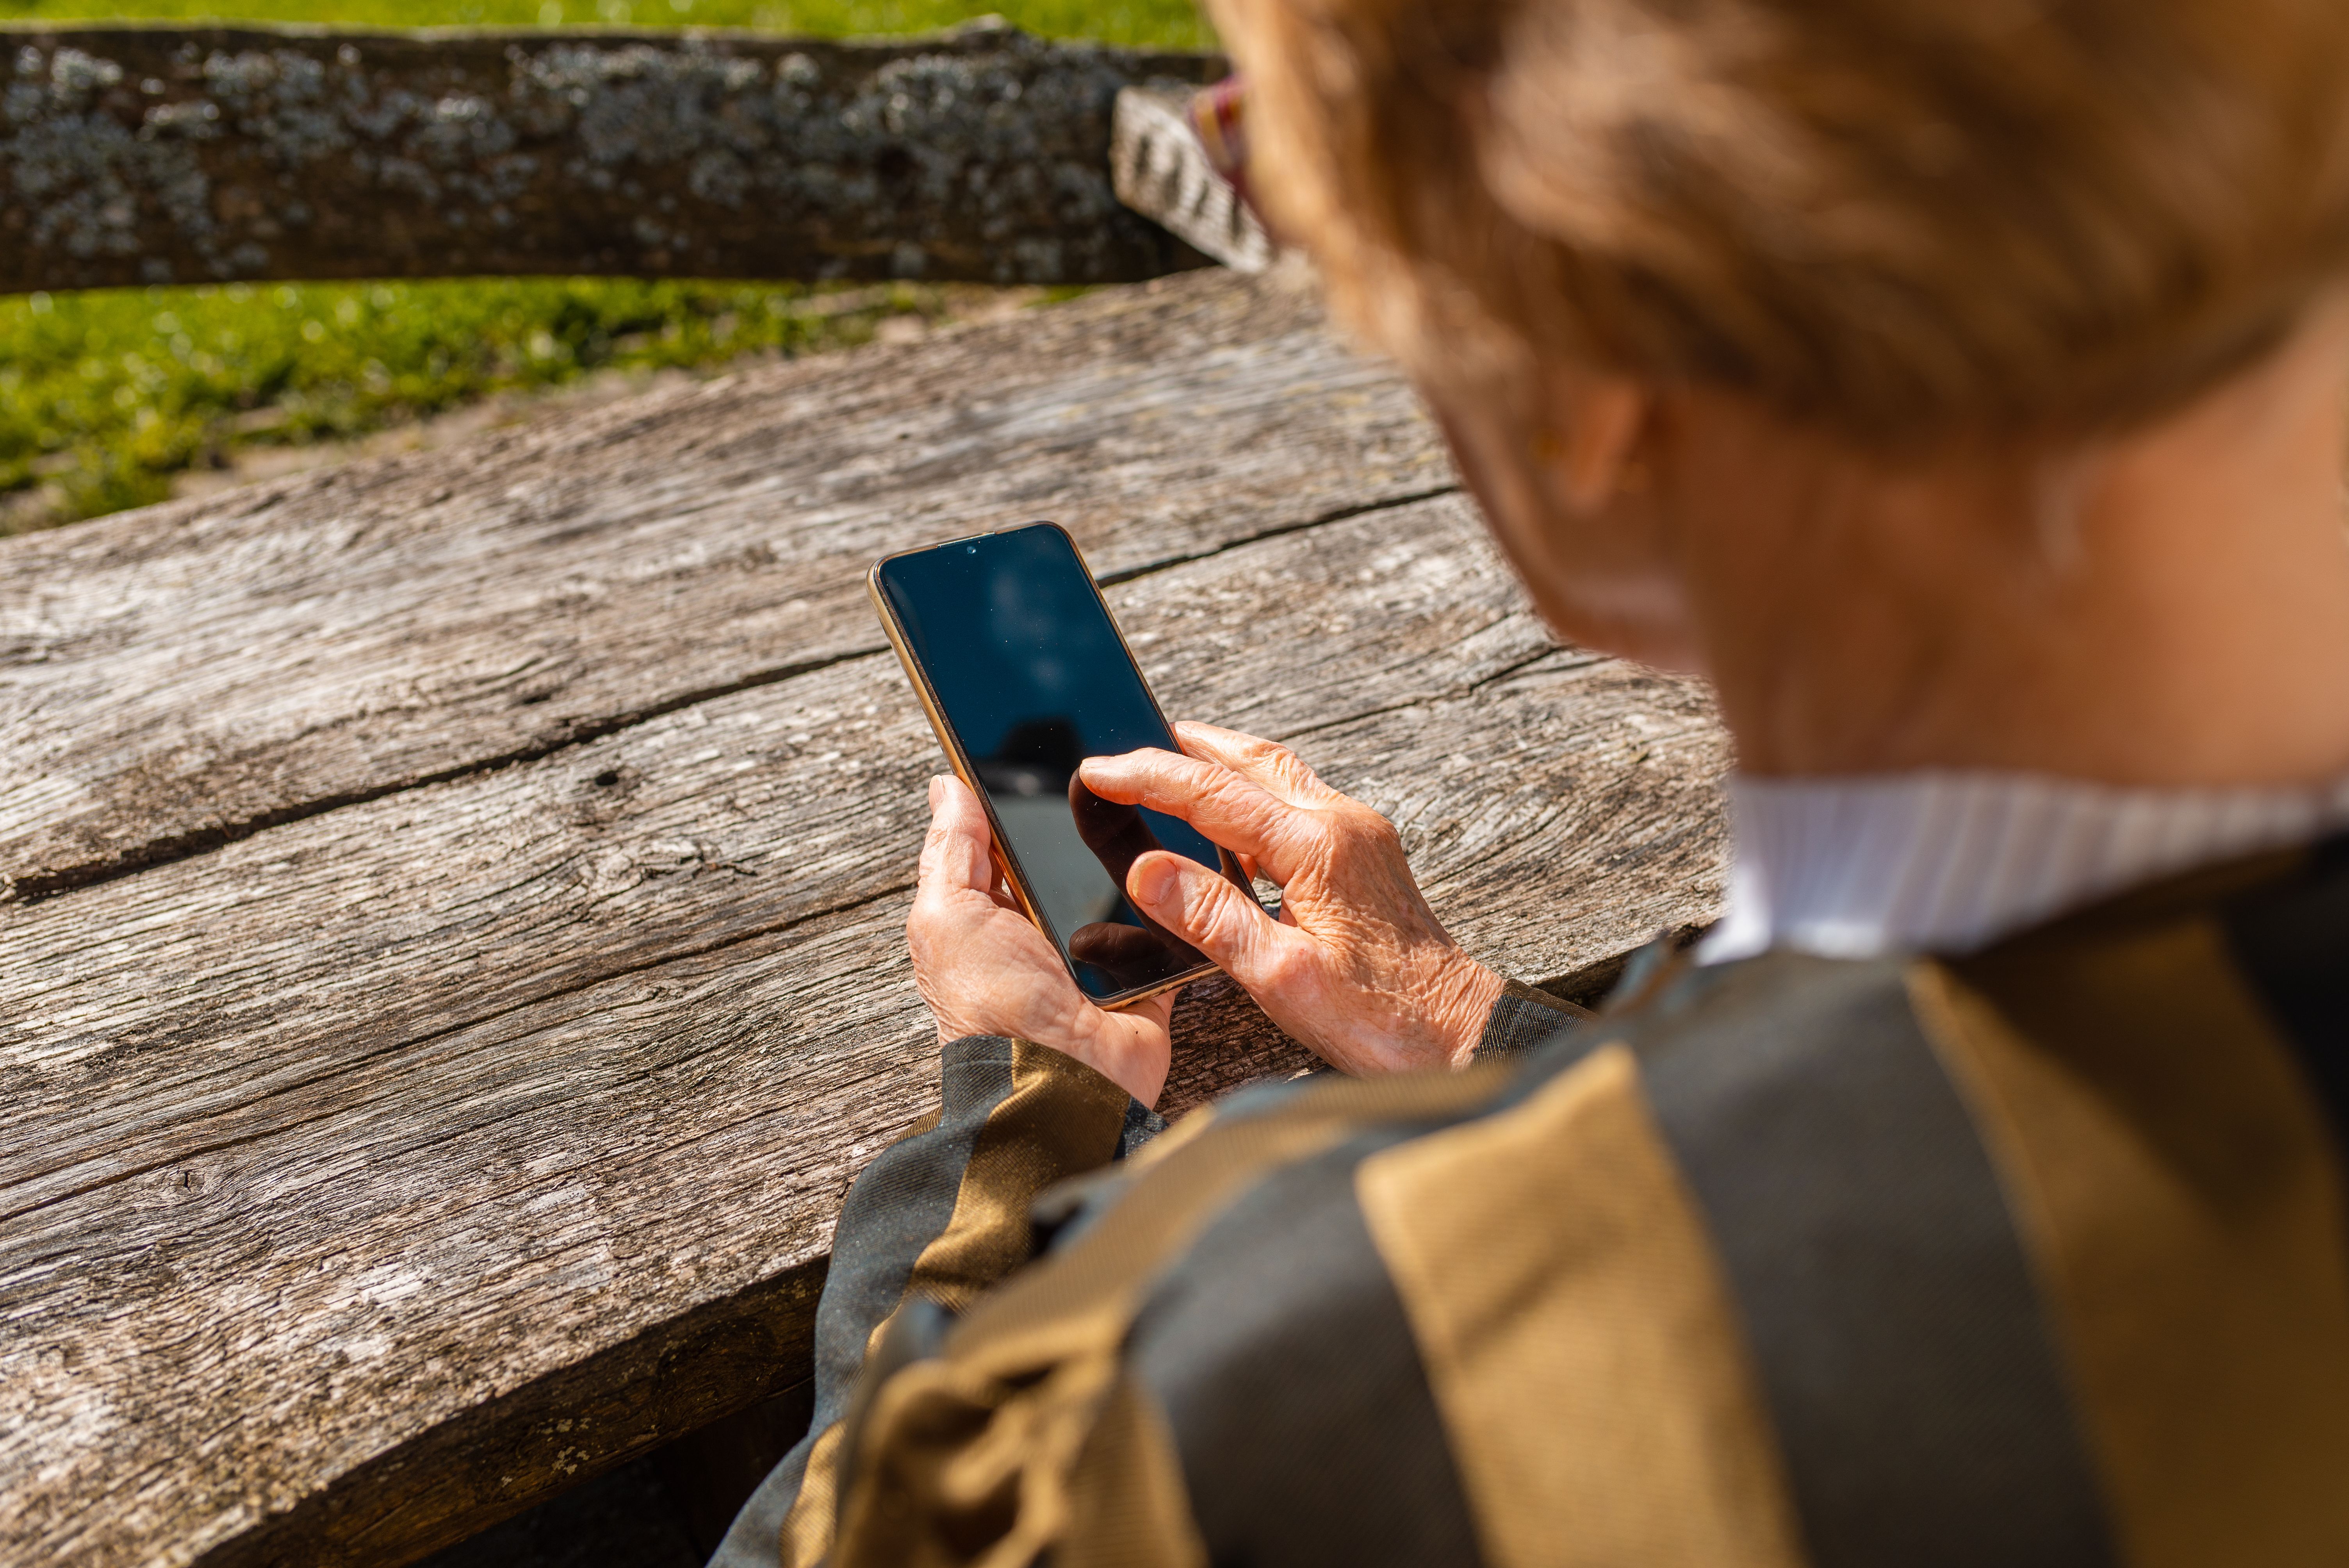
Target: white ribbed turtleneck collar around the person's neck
column 1948, row 863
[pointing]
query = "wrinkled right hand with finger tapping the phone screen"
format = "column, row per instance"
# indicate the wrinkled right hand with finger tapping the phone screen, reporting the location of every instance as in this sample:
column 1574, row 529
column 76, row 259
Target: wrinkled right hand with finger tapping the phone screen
column 1357, row 968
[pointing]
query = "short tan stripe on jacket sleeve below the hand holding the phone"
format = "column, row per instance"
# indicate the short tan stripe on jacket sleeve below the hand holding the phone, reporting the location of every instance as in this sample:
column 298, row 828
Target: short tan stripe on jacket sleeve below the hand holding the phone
column 1061, row 1121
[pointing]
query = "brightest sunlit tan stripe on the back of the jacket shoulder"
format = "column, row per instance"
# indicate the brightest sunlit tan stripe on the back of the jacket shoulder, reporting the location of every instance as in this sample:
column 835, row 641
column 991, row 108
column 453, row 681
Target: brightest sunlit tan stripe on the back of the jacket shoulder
column 1580, row 1339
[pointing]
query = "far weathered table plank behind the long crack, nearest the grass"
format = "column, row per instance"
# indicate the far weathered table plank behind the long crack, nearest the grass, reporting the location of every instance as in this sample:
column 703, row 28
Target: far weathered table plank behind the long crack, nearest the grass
column 180, row 677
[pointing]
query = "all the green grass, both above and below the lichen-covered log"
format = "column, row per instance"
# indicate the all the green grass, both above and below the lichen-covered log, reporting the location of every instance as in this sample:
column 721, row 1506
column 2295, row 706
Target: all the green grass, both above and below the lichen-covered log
column 107, row 396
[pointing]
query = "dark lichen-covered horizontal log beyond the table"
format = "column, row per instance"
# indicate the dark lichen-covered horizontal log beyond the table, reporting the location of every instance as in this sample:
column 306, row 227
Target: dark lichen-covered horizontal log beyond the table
column 152, row 156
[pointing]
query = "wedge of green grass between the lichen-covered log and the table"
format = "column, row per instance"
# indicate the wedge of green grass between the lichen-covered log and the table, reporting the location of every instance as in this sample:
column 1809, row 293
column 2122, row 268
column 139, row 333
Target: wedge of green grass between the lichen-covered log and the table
column 107, row 396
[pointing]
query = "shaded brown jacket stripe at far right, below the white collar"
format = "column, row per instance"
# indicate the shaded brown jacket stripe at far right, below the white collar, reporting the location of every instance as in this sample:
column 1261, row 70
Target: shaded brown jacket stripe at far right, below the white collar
column 2183, row 1203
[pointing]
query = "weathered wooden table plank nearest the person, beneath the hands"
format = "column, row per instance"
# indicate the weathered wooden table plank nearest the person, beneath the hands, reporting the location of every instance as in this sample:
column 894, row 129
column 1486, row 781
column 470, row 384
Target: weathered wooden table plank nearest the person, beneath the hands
column 346, row 1165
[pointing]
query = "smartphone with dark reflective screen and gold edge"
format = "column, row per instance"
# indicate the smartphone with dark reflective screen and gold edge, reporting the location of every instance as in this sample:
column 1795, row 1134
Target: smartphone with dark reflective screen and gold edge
column 1025, row 675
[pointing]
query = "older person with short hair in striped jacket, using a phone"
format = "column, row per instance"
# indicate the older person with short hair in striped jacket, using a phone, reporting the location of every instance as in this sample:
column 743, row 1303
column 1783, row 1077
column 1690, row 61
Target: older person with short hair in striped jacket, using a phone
column 1960, row 388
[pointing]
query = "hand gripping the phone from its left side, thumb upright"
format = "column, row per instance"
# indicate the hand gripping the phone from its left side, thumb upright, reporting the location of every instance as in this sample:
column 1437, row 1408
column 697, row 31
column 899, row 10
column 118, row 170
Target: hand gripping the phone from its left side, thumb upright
column 985, row 971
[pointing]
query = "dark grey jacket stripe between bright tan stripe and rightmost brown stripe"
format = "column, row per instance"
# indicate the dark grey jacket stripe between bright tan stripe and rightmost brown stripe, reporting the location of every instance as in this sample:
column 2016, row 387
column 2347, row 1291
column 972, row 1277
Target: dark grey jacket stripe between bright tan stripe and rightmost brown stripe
column 1887, row 1299
